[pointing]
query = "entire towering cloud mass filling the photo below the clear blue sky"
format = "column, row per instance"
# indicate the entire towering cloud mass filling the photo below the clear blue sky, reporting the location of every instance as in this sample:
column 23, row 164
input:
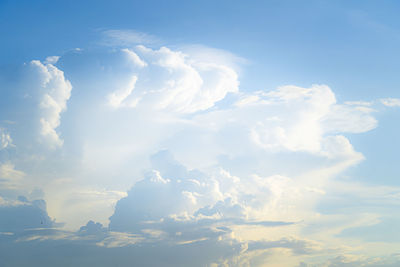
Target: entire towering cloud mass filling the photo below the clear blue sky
column 155, row 156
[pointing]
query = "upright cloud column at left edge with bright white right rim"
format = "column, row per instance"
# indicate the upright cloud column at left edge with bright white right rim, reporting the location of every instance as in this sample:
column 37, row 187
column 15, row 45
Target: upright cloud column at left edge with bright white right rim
column 39, row 93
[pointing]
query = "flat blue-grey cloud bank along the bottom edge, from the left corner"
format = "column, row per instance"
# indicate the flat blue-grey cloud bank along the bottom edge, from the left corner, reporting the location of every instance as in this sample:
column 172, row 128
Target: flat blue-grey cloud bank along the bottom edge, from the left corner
column 41, row 247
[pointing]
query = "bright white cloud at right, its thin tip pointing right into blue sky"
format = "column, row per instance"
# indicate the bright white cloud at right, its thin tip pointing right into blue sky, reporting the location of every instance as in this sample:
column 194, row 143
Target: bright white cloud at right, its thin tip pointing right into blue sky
column 290, row 118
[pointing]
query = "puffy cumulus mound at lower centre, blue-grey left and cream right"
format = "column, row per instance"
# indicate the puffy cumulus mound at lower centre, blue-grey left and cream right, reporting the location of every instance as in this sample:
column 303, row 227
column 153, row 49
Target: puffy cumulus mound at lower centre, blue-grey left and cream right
column 173, row 203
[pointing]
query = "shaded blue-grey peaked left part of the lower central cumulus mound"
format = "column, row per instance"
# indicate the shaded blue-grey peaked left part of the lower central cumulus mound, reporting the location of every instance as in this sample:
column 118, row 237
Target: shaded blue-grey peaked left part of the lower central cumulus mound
column 169, row 189
